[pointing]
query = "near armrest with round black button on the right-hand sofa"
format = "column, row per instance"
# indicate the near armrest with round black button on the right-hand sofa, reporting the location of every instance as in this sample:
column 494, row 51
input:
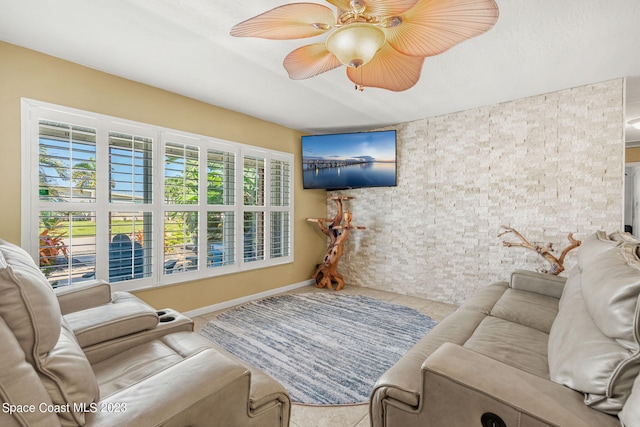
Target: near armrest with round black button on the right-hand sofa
column 454, row 374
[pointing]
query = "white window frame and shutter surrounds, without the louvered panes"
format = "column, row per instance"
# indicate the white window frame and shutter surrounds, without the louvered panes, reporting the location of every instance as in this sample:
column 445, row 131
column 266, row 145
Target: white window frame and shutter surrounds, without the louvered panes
column 34, row 111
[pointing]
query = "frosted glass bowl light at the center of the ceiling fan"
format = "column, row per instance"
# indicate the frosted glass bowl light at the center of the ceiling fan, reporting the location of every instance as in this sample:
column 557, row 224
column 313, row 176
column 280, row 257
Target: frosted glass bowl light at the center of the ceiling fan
column 355, row 44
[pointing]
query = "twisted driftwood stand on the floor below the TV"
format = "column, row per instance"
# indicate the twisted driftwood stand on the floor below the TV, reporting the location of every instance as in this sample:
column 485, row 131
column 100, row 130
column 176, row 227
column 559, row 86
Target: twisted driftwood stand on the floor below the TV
column 338, row 232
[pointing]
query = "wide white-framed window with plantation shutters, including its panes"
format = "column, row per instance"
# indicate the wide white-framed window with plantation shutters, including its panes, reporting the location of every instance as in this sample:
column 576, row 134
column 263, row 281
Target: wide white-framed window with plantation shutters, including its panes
column 141, row 206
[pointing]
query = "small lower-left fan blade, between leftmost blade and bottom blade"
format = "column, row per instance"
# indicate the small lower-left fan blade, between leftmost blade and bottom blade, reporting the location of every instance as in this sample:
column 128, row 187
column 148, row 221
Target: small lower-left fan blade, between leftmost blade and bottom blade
column 309, row 61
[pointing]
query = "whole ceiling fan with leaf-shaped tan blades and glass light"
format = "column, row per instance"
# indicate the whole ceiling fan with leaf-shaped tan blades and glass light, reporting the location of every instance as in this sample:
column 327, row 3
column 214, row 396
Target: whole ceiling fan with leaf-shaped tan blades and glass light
column 383, row 43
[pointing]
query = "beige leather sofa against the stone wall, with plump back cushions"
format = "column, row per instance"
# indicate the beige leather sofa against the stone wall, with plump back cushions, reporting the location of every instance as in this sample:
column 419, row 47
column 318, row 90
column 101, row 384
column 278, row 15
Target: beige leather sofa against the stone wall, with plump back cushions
column 539, row 350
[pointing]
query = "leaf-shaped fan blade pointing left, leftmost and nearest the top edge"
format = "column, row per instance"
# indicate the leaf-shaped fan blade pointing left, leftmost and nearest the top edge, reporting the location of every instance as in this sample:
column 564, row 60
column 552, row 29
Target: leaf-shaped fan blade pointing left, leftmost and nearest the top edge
column 291, row 21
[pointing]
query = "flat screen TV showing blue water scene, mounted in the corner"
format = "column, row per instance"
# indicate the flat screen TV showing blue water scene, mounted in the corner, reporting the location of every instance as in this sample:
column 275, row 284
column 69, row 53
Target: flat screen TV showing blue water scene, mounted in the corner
column 349, row 160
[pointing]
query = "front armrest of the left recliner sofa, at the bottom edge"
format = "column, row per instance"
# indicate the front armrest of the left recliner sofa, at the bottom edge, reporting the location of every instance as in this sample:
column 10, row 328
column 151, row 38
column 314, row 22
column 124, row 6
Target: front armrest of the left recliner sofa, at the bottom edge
column 191, row 392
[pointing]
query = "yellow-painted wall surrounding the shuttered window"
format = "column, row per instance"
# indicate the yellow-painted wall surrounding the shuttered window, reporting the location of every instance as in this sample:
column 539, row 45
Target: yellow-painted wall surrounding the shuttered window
column 25, row 73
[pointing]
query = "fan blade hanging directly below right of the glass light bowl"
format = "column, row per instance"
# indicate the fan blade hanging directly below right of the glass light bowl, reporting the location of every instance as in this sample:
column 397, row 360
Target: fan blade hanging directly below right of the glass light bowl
column 389, row 69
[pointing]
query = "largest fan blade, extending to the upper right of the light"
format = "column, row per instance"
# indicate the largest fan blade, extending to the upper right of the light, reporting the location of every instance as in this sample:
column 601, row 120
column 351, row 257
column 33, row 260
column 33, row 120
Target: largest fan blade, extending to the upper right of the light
column 433, row 26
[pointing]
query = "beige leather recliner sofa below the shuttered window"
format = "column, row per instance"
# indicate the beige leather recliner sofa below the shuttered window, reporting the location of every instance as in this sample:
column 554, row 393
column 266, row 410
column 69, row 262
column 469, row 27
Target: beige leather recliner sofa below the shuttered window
column 92, row 357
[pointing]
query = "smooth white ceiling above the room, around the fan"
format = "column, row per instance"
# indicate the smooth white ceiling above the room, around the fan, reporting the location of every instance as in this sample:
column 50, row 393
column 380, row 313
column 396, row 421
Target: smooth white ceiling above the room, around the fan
column 184, row 46
